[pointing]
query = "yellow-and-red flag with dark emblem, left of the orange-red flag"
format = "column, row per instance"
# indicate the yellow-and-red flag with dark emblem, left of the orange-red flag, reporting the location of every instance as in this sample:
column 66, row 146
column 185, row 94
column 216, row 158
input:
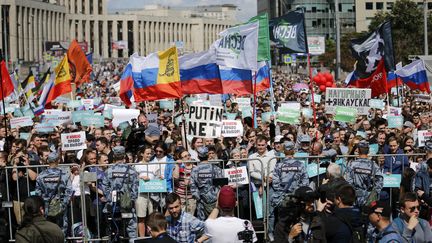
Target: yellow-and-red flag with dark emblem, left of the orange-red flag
column 62, row 81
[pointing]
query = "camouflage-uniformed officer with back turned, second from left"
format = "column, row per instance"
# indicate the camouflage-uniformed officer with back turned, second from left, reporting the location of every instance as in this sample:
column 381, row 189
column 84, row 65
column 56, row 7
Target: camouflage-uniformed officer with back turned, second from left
column 120, row 186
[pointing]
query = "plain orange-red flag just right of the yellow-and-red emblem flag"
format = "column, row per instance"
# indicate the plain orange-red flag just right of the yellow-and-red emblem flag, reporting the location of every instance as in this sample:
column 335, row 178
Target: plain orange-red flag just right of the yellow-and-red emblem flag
column 79, row 65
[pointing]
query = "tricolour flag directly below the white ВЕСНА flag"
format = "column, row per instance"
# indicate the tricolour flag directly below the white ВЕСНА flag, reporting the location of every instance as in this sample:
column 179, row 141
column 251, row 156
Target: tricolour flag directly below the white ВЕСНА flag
column 236, row 81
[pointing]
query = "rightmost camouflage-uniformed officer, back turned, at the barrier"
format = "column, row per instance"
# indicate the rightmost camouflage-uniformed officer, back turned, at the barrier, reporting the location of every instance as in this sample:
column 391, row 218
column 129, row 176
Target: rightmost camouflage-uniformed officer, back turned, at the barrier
column 364, row 175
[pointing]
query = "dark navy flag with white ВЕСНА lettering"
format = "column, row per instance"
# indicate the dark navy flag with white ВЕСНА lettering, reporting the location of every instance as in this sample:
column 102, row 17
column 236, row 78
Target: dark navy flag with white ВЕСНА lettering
column 288, row 32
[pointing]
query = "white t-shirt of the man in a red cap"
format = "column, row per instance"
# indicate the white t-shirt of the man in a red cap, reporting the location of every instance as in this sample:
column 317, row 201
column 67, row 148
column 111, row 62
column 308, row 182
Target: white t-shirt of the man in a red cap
column 225, row 229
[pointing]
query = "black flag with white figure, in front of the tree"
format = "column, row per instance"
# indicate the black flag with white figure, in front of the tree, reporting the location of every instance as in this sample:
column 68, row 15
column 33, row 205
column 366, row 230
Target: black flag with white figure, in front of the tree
column 369, row 50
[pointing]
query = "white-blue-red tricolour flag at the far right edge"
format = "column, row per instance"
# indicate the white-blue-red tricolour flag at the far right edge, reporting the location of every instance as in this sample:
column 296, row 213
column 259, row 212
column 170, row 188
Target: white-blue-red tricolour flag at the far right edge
column 414, row 75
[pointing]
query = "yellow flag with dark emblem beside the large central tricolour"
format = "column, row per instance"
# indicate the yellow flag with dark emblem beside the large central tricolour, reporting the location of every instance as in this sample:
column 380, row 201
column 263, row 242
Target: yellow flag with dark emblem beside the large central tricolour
column 168, row 66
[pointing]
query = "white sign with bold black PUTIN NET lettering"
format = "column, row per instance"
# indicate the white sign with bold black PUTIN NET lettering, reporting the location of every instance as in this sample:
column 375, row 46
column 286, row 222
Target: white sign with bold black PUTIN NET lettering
column 204, row 121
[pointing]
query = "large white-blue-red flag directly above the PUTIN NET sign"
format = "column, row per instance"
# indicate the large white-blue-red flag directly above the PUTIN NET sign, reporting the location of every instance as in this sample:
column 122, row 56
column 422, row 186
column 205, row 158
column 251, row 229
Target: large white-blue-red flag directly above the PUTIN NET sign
column 199, row 73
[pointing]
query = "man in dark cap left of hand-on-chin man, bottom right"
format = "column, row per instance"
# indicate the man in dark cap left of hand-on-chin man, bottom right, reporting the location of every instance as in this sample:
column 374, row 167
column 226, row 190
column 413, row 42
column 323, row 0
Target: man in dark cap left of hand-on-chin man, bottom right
column 379, row 214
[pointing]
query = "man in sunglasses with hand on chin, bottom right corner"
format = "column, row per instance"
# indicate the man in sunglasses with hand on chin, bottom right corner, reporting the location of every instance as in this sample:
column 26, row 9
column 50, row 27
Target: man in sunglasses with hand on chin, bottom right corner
column 412, row 228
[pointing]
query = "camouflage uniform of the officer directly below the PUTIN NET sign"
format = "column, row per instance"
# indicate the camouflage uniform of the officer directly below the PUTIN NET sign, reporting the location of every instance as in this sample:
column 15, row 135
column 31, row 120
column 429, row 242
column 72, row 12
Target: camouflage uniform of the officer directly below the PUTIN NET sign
column 202, row 188
